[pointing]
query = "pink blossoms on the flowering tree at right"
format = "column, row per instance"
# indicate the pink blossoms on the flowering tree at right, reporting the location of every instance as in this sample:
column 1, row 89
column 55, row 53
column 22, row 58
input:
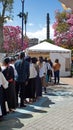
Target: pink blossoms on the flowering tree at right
column 64, row 38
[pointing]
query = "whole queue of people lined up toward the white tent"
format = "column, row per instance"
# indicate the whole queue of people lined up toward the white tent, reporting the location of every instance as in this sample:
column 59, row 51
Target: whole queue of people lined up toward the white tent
column 23, row 78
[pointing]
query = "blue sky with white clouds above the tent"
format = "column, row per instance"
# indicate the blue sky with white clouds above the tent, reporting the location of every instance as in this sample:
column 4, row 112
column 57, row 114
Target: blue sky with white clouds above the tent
column 37, row 13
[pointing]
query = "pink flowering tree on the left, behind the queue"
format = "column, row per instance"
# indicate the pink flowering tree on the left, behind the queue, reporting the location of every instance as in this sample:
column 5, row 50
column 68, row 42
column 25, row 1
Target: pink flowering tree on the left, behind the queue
column 13, row 39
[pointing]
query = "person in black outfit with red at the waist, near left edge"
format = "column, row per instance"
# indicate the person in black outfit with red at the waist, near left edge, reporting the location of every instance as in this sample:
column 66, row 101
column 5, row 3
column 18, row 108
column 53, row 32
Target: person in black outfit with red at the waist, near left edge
column 10, row 94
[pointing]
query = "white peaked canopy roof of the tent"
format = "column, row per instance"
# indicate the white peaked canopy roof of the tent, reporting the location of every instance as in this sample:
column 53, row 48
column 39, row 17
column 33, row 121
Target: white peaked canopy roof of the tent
column 47, row 47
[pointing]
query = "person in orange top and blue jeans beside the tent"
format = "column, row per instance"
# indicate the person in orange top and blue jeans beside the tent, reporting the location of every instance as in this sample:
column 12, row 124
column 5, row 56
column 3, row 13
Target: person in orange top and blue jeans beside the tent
column 56, row 68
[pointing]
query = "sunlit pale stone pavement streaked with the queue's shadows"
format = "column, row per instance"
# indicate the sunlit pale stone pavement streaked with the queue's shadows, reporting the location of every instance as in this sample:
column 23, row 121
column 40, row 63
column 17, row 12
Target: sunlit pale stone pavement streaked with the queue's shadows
column 54, row 111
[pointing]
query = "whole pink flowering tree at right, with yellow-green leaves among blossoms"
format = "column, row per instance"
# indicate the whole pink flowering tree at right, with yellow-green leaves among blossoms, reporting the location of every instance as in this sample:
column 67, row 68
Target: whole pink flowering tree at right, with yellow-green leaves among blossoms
column 63, row 29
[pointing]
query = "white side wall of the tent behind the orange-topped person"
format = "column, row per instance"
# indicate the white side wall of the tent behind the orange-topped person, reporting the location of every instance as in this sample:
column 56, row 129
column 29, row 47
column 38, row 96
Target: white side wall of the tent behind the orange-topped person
column 61, row 57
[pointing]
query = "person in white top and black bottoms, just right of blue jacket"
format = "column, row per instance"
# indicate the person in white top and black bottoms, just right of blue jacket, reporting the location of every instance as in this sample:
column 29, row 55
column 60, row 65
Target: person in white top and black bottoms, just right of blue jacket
column 32, row 80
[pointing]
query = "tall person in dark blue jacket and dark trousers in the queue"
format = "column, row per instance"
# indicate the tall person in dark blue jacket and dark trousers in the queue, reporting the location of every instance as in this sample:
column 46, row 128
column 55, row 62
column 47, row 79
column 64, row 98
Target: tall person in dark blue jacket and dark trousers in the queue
column 22, row 68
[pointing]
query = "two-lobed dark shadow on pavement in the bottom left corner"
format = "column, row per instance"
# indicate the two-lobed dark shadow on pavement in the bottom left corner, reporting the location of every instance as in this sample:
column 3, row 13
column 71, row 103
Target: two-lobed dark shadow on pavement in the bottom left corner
column 13, row 121
